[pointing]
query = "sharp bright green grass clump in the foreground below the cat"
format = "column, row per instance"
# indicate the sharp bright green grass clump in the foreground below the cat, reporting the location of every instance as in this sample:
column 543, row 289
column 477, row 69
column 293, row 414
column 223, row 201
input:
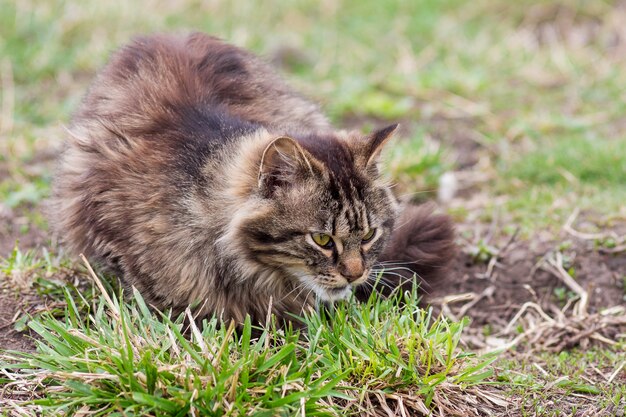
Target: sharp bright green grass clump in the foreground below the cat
column 116, row 357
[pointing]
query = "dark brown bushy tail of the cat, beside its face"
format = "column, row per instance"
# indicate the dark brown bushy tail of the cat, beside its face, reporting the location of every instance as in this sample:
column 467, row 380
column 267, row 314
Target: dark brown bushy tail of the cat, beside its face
column 419, row 251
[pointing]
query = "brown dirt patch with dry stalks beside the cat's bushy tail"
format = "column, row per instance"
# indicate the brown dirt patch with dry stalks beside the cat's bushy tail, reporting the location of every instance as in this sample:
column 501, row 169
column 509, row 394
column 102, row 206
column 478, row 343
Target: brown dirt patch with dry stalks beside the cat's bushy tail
column 565, row 276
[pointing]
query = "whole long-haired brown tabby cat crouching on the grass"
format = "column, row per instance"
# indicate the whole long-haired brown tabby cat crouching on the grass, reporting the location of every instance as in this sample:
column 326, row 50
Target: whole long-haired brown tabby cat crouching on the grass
column 197, row 175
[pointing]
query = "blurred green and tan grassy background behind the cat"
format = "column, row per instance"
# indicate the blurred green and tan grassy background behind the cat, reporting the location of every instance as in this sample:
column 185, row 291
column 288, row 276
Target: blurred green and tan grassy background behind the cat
column 524, row 101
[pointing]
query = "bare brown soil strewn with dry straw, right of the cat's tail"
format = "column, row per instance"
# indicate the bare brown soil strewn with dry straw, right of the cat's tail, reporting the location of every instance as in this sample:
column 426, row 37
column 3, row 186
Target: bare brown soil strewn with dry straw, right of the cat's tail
column 498, row 294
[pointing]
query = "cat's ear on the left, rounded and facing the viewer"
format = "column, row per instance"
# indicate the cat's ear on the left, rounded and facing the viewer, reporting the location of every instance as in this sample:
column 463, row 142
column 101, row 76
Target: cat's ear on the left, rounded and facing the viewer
column 283, row 162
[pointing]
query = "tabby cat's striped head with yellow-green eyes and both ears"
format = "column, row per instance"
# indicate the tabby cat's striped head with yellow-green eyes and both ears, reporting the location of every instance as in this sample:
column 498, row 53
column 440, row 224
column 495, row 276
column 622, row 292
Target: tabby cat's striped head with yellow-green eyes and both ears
column 322, row 213
